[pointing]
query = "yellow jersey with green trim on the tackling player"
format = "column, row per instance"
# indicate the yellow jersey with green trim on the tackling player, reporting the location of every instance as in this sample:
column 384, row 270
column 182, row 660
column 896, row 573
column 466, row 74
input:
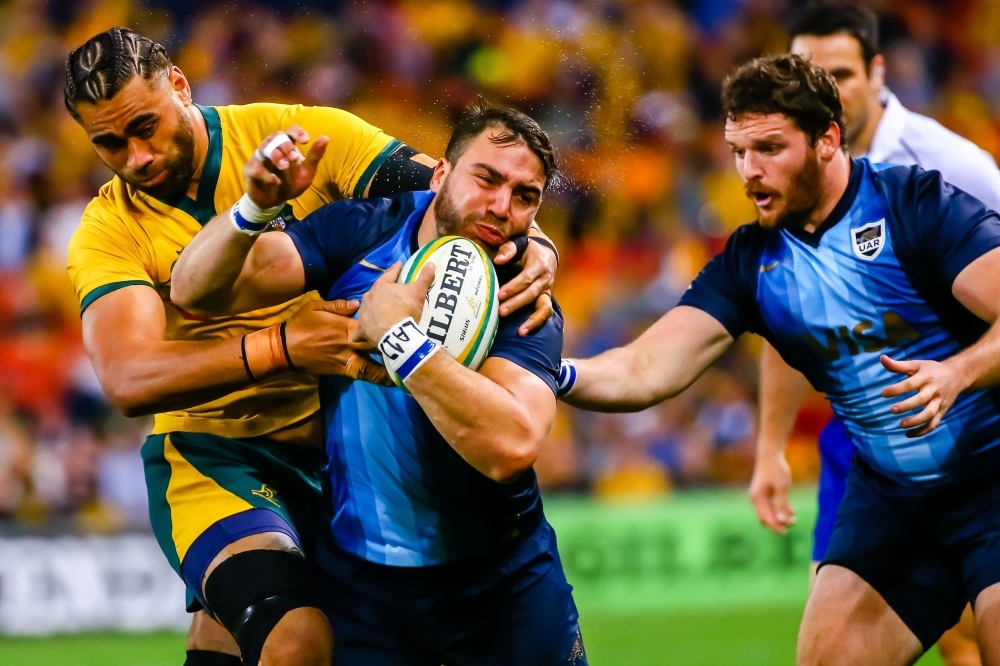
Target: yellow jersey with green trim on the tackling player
column 127, row 237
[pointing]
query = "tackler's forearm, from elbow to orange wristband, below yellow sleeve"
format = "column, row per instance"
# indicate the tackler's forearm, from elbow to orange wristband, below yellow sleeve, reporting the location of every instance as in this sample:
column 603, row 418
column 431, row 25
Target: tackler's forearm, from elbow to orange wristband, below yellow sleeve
column 155, row 377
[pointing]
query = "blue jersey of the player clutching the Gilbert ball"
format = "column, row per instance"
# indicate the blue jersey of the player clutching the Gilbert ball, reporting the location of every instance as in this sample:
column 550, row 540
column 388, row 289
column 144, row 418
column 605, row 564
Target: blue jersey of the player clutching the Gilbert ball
column 402, row 495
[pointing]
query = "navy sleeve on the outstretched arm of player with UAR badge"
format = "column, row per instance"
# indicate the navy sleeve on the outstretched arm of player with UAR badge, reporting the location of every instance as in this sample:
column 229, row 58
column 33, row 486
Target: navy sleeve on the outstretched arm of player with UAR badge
column 727, row 287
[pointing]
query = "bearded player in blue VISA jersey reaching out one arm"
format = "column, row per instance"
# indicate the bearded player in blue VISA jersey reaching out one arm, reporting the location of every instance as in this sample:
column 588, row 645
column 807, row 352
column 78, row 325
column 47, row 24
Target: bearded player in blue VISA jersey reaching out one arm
column 880, row 283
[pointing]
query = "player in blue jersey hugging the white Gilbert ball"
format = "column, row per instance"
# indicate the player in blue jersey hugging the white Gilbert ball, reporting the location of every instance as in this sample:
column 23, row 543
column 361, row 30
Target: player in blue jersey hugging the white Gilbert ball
column 437, row 550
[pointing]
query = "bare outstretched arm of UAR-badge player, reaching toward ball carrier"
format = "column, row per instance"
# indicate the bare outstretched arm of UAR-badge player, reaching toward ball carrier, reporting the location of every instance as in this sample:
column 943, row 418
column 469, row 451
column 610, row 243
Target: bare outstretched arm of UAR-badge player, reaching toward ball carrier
column 659, row 364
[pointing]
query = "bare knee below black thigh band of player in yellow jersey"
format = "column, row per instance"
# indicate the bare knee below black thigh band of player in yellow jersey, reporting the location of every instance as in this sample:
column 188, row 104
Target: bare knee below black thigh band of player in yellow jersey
column 302, row 637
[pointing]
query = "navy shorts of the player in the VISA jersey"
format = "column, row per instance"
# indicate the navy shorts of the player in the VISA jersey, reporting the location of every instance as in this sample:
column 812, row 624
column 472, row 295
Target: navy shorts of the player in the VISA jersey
column 927, row 551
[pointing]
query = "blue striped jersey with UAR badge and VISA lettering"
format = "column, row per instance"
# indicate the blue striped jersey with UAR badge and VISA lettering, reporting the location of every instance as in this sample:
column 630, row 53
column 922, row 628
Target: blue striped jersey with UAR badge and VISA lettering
column 874, row 278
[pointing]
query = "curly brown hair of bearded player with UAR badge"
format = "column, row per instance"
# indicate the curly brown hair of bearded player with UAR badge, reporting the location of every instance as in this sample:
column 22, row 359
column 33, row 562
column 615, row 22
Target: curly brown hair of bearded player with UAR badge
column 789, row 85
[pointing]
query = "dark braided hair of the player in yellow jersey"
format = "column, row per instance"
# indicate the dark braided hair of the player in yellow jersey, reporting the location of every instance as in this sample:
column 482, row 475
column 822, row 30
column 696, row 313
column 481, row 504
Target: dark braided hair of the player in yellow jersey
column 103, row 66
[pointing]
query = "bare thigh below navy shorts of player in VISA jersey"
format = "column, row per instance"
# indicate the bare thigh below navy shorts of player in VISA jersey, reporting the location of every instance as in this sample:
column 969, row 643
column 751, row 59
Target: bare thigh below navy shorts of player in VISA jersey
column 846, row 622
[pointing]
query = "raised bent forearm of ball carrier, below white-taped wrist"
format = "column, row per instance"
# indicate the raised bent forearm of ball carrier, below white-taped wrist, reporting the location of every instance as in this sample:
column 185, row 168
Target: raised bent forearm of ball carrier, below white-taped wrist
column 205, row 275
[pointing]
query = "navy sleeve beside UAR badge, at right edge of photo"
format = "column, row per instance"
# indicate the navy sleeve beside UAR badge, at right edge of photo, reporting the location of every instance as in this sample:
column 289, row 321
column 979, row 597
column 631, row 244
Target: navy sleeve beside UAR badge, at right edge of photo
column 946, row 227
